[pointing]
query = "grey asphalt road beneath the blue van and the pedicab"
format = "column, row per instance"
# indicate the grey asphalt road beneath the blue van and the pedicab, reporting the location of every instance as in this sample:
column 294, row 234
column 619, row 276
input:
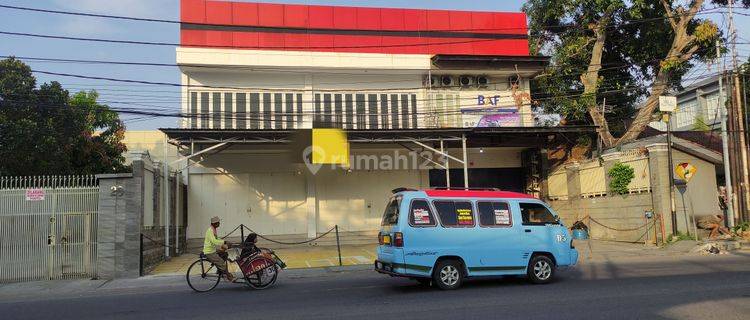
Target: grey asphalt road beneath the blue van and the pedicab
column 714, row 287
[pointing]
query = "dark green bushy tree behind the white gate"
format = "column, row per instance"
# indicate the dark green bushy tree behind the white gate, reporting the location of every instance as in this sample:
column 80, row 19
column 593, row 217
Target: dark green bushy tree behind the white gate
column 46, row 131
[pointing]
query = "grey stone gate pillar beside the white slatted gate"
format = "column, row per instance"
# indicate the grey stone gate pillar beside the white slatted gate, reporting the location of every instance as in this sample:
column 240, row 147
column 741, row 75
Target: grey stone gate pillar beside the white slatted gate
column 119, row 226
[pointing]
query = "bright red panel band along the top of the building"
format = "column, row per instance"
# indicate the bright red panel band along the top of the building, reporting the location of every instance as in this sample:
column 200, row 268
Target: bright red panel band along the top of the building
column 265, row 26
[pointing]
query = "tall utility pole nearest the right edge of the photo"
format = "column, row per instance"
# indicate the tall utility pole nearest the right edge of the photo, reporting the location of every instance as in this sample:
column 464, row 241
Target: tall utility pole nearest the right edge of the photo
column 739, row 113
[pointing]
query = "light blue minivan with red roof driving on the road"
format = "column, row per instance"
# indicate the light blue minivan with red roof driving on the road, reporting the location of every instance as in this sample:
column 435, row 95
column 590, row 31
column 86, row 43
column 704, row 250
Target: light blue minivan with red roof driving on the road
column 446, row 236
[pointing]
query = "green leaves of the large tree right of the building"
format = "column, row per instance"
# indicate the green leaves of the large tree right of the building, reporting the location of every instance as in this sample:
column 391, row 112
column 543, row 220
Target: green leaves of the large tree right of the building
column 638, row 37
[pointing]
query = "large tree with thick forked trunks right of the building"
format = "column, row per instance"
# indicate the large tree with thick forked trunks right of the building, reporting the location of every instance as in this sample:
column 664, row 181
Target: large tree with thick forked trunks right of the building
column 610, row 49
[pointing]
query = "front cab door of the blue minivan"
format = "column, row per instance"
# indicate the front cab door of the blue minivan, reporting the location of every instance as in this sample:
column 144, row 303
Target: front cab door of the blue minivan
column 542, row 231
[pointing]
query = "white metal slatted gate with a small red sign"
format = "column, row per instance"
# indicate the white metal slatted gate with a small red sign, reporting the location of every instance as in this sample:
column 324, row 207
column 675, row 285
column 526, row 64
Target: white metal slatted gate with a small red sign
column 48, row 227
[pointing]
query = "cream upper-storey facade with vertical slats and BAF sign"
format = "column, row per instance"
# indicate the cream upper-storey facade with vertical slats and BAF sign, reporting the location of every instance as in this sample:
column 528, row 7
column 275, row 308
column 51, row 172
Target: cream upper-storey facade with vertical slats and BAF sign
column 368, row 98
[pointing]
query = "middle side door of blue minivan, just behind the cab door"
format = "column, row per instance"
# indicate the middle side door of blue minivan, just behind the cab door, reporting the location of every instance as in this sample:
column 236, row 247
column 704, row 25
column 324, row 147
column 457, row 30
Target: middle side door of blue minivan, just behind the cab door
column 502, row 252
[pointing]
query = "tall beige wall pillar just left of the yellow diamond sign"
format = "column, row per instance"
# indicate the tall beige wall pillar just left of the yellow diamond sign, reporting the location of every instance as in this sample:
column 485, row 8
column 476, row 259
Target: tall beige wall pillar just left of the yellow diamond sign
column 658, row 164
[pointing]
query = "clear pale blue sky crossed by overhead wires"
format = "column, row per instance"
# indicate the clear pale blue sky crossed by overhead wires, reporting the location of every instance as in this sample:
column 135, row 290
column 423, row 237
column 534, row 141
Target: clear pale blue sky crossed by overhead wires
column 133, row 95
